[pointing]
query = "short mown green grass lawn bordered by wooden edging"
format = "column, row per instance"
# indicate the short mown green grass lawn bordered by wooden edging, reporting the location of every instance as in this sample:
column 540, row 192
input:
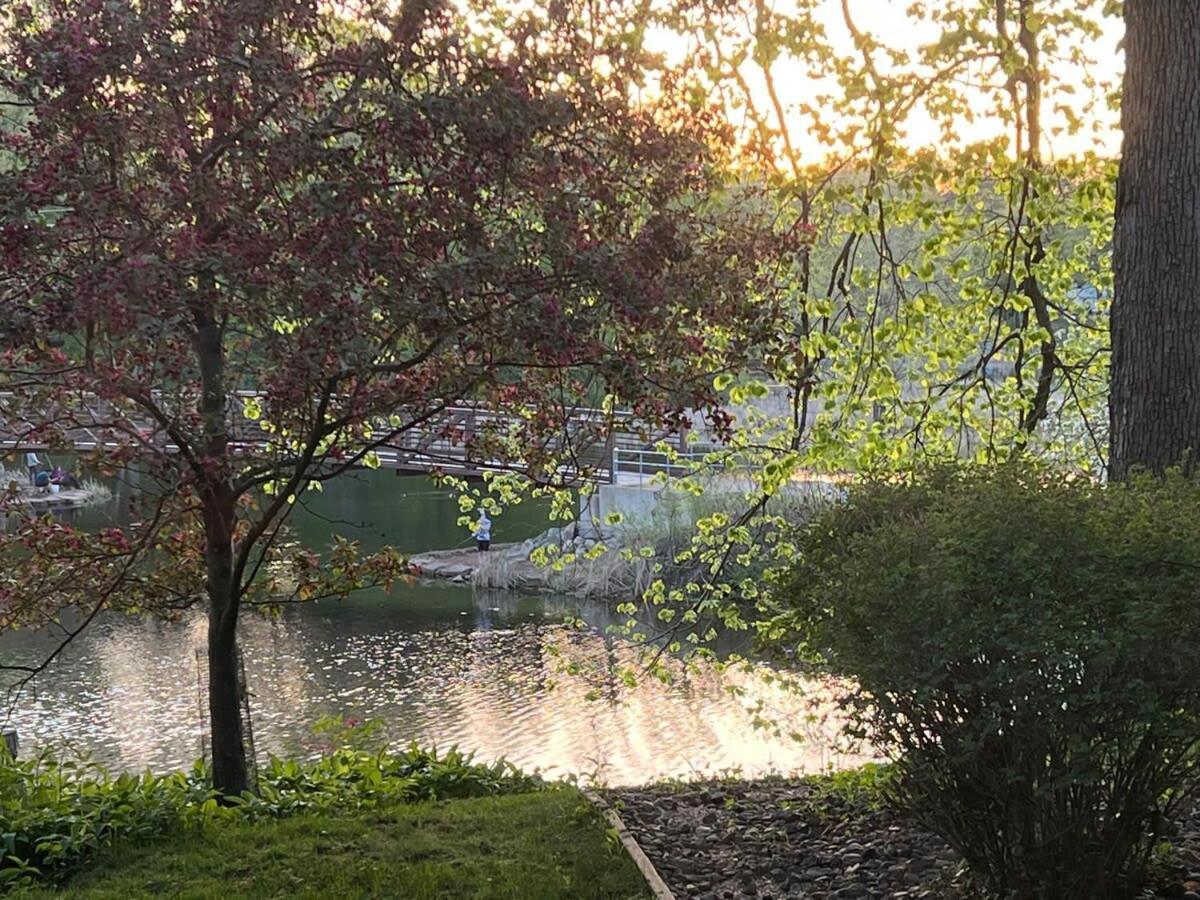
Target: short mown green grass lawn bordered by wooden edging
column 527, row 847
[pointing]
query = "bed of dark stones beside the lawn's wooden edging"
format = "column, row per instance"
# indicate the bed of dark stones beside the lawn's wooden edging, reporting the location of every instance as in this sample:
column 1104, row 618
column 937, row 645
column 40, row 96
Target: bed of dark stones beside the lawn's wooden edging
column 789, row 839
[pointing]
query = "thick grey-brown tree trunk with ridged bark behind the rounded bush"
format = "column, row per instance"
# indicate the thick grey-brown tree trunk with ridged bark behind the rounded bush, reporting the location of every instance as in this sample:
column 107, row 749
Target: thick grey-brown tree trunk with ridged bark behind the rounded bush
column 1155, row 403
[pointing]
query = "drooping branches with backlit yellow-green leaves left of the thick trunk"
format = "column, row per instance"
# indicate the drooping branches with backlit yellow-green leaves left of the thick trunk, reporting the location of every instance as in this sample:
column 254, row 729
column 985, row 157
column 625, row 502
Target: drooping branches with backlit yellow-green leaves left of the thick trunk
column 950, row 293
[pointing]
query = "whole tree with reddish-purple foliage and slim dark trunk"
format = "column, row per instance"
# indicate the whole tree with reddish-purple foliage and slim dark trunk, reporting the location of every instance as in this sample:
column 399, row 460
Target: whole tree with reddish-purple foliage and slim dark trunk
column 365, row 213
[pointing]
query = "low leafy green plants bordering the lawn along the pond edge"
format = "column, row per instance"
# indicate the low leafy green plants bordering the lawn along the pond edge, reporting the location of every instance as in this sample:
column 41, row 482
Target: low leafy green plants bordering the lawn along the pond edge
column 56, row 814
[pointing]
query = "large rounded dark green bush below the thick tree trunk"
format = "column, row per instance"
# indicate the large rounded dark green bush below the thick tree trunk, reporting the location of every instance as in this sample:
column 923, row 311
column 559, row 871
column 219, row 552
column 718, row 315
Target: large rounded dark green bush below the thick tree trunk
column 1025, row 646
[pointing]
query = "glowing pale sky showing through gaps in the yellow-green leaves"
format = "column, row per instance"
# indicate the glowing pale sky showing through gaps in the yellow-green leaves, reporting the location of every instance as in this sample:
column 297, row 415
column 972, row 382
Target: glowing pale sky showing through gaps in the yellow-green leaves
column 889, row 22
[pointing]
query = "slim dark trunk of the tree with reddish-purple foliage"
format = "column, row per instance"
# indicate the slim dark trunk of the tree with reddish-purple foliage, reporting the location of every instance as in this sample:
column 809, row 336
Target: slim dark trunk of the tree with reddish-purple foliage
column 230, row 770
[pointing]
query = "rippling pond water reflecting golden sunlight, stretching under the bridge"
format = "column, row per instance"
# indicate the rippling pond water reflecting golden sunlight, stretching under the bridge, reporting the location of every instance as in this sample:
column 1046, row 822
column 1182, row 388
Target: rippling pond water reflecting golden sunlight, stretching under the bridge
column 437, row 664
